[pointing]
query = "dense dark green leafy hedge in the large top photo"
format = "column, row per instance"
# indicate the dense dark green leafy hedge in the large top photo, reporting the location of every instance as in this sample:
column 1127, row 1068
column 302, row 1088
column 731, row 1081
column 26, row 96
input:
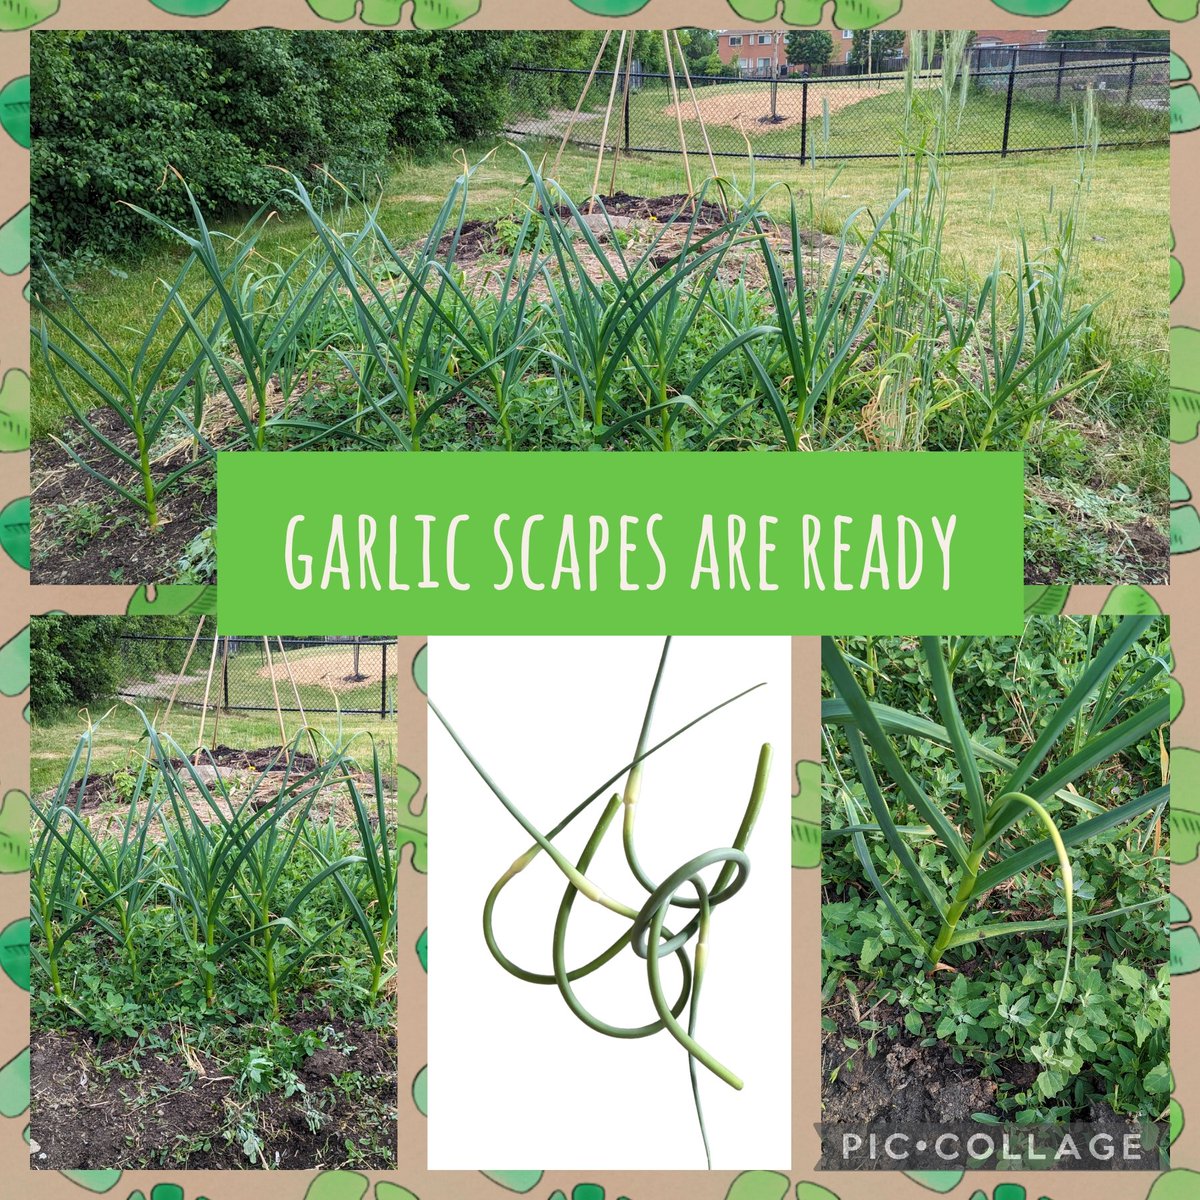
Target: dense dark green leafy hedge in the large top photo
column 113, row 111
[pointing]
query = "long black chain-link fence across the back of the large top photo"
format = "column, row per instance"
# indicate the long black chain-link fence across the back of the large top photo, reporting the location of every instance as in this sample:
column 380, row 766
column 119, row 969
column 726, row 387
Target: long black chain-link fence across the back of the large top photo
column 1027, row 105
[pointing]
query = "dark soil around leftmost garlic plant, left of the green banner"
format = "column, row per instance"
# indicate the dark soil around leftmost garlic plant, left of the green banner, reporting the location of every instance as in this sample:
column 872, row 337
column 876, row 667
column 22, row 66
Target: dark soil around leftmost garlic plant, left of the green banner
column 85, row 533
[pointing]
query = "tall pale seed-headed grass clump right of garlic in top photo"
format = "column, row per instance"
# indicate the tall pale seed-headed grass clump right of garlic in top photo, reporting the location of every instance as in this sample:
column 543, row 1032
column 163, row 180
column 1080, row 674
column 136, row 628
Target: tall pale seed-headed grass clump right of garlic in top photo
column 992, row 359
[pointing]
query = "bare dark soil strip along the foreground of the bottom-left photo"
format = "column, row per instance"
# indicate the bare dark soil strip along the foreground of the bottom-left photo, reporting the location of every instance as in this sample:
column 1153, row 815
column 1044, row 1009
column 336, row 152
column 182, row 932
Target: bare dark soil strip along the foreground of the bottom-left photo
column 111, row 1106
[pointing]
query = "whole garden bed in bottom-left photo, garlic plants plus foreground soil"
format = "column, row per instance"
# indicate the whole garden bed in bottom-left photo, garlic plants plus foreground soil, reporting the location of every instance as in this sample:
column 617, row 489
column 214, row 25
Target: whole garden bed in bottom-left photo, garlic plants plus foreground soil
column 213, row 956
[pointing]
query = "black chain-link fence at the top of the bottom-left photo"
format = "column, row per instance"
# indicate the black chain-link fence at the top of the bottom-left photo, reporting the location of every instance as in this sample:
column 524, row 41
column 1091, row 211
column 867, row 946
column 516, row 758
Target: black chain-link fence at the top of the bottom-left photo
column 317, row 675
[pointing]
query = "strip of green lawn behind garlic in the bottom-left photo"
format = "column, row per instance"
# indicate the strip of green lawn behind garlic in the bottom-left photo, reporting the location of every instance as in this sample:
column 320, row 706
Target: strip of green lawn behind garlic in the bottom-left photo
column 121, row 740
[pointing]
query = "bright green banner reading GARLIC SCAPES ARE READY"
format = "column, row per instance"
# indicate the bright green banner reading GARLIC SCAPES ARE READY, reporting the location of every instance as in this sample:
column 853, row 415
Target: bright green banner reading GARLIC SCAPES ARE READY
column 321, row 544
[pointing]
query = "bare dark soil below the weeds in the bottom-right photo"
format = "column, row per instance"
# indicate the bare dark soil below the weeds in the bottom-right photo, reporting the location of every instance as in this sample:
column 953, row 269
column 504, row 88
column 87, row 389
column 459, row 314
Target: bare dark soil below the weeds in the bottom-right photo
column 909, row 1084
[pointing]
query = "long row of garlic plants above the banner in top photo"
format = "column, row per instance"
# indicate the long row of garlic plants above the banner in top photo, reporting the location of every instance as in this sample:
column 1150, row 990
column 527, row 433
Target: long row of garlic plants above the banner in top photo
column 573, row 327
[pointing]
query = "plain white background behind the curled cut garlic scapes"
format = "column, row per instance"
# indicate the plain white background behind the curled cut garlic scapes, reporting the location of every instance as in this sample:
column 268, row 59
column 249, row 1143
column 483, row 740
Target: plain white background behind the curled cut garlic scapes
column 515, row 1078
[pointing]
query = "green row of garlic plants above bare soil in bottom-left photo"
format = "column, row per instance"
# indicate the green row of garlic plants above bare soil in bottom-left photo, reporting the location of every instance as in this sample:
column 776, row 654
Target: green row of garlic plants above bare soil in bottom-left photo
column 200, row 895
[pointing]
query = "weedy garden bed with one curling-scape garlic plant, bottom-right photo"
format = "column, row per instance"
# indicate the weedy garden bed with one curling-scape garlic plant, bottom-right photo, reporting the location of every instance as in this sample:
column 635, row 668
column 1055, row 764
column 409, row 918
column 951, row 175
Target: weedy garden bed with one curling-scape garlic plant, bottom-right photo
column 1013, row 1004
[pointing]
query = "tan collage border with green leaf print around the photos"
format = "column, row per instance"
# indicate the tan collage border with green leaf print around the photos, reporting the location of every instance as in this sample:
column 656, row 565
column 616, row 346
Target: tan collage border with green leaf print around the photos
column 411, row 1180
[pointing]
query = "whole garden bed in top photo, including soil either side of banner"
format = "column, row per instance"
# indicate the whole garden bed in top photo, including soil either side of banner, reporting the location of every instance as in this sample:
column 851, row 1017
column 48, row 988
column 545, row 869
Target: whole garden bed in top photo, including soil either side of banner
column 628, row 323
